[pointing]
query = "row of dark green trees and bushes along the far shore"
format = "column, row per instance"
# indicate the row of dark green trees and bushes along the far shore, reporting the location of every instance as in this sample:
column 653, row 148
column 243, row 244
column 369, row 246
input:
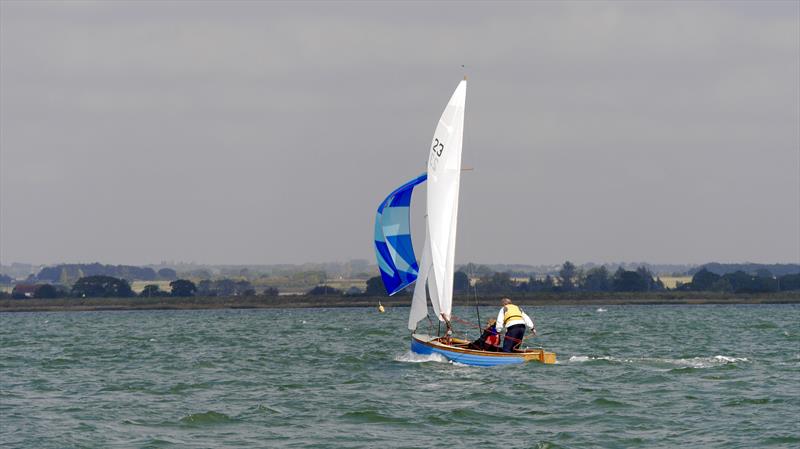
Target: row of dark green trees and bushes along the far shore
column 569, row 278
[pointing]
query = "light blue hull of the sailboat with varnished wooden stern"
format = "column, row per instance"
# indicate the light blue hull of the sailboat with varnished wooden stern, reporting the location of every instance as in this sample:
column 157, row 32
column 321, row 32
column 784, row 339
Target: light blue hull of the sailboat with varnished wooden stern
column 457, row 352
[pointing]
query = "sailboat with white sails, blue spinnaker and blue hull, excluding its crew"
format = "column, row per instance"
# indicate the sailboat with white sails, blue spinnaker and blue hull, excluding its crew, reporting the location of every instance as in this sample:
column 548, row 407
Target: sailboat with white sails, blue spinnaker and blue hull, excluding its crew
column 434, row 272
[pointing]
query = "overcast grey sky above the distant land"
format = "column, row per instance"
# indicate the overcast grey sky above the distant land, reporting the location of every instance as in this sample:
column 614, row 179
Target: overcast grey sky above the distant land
column 265, row 132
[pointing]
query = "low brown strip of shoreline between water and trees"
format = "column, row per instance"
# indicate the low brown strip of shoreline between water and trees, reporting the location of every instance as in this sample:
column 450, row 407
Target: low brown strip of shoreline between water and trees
column 287, row 302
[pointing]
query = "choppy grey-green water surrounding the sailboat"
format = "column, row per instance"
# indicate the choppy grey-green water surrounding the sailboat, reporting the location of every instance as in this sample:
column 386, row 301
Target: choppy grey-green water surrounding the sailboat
column 628, row 376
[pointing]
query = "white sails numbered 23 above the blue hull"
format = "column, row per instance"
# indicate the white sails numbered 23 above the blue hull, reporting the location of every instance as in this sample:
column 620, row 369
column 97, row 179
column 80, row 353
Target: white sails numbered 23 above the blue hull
column 444, row 178
